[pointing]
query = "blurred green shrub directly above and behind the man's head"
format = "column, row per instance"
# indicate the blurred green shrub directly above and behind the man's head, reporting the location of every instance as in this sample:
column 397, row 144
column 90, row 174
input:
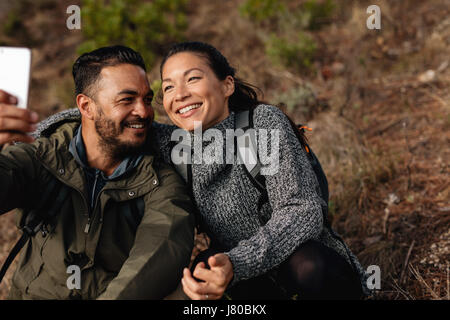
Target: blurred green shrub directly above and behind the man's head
column 143, row 26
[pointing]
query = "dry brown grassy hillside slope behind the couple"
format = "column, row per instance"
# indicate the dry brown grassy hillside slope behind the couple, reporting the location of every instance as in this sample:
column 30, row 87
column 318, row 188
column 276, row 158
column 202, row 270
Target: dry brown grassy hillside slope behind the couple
column 380, row 119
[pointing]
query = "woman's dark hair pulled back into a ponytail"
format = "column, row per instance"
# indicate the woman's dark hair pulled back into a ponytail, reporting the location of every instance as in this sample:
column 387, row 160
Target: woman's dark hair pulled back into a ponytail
column 244, row 96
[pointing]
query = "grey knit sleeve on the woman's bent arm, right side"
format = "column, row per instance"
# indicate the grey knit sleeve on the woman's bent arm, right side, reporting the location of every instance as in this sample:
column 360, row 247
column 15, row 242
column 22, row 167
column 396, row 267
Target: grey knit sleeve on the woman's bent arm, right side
column 293, row 194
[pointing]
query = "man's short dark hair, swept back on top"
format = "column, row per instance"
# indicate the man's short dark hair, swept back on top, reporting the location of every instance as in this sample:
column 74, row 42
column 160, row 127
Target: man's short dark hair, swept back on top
column 86, row 70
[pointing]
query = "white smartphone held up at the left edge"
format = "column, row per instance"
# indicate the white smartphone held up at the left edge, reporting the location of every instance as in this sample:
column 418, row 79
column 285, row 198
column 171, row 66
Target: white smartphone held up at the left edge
column 15, row 65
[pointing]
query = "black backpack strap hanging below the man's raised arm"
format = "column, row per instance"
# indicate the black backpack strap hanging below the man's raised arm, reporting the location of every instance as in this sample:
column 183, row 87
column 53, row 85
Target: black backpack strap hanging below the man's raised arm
column 36, row 220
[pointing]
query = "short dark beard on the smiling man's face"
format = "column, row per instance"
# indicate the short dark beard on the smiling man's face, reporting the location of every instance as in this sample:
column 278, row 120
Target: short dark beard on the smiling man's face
column 110, row 143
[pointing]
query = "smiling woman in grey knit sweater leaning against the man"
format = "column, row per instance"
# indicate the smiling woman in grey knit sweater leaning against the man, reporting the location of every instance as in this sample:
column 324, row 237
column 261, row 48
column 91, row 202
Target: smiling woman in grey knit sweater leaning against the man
column 281, row 248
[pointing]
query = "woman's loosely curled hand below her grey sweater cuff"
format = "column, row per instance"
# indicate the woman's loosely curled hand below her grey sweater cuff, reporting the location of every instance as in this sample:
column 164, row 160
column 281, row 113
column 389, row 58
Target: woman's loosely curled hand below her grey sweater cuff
column 216, row 279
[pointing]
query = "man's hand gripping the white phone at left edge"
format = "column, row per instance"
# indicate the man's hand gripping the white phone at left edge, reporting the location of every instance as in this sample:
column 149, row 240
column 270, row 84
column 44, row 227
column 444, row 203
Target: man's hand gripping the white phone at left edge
column 15, row 122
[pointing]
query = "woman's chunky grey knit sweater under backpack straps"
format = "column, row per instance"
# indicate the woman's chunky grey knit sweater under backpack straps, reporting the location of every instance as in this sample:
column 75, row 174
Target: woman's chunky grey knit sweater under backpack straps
column 227, row 199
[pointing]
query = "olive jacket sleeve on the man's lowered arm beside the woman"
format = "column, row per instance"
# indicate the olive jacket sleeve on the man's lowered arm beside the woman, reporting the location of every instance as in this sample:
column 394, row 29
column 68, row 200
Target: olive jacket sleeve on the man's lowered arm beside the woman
column 163, row 244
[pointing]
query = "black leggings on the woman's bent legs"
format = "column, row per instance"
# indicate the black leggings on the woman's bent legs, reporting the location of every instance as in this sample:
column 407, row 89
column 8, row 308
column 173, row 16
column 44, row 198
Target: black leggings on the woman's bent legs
column 313, row 271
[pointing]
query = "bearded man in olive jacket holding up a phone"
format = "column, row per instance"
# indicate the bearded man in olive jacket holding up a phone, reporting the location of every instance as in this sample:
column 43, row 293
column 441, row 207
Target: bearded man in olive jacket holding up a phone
column 126, row 223
